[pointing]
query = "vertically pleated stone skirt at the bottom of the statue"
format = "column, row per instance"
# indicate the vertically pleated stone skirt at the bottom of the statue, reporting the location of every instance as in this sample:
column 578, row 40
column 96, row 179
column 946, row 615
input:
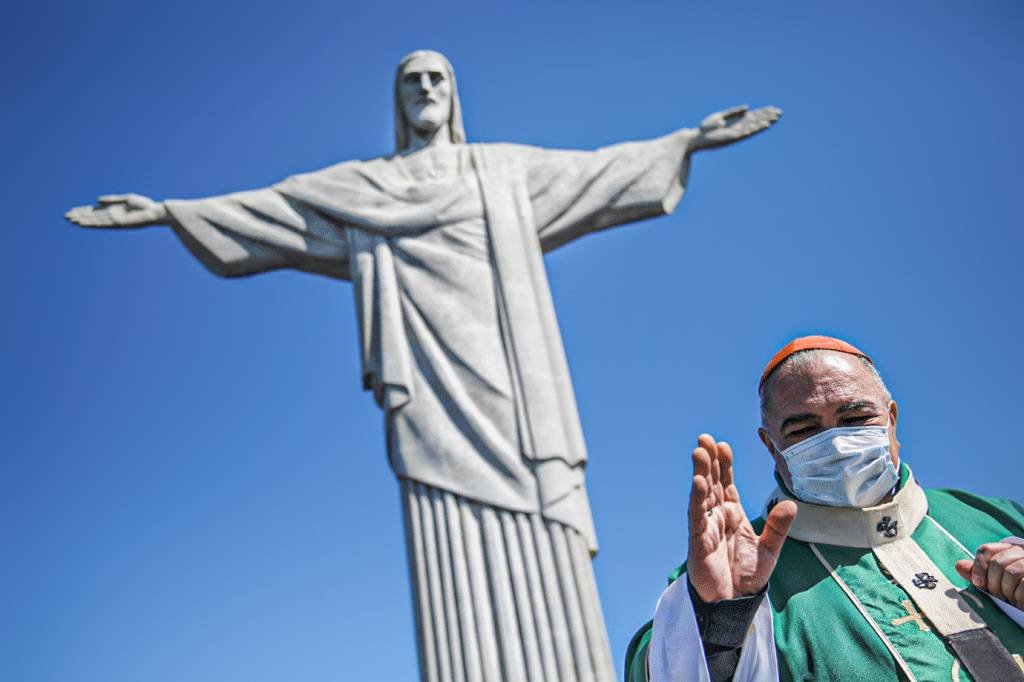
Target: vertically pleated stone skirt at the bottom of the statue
column 501, row 595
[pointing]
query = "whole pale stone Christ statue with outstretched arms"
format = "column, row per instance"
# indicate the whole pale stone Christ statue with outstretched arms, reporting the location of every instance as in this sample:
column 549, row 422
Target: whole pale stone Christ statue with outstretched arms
column 444, row 244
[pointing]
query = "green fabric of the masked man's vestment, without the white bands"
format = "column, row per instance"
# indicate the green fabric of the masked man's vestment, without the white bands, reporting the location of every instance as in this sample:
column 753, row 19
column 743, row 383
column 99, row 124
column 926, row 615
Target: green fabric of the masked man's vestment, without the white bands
column 838, row 615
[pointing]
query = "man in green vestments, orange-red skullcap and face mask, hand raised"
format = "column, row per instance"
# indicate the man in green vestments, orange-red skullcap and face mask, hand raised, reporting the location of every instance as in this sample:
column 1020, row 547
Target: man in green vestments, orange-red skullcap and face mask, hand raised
column 854, row 571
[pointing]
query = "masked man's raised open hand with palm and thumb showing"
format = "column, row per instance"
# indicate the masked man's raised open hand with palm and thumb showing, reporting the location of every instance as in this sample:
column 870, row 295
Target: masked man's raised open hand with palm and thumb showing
column 727, row 559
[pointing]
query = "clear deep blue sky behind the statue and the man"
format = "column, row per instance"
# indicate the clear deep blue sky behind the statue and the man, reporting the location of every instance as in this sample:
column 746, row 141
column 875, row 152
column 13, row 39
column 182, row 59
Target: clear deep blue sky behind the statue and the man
column 193, row 486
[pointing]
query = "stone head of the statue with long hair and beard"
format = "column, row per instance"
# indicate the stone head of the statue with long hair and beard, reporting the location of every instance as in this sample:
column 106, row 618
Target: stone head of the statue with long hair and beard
column 426, row 99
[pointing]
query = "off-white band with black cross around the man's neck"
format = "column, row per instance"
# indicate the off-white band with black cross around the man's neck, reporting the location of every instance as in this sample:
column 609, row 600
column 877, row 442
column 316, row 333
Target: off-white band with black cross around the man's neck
column 852, row 527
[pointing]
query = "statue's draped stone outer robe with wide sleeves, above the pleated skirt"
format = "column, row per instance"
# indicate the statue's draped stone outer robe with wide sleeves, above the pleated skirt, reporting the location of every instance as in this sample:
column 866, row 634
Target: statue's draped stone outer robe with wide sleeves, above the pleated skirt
column 460, row 345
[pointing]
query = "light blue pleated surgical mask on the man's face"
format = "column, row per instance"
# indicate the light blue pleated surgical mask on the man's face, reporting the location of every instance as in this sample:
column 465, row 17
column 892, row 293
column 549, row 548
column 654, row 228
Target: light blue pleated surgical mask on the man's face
column 843, row 467
